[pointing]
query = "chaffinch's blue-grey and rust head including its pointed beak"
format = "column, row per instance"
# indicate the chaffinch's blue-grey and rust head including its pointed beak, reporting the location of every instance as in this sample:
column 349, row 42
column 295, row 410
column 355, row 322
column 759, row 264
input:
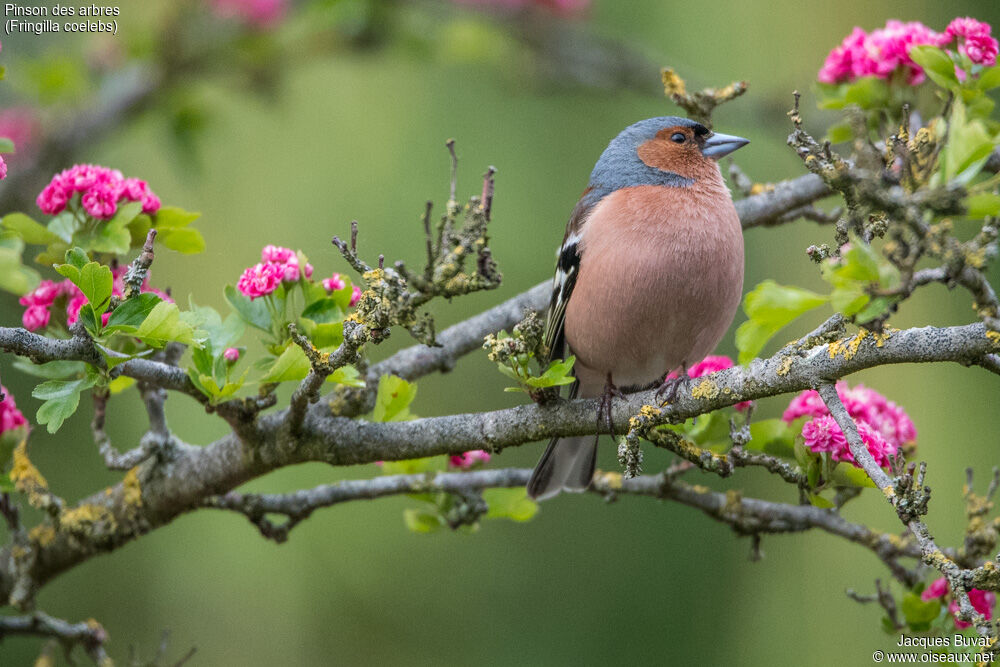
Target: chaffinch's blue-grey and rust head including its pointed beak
column 668, row 150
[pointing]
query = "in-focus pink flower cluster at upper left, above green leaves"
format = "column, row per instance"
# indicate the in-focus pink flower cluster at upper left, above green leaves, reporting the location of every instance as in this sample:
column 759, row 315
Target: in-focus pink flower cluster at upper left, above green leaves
column 100, row 189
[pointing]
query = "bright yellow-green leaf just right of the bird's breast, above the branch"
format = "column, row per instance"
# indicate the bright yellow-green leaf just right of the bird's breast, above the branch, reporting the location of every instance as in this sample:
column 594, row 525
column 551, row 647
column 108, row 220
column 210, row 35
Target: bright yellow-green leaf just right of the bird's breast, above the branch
column 770, row 307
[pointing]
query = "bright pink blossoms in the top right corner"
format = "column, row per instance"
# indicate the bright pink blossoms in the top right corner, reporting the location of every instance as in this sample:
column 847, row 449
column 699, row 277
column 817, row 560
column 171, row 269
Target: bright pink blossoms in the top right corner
column 882, row 51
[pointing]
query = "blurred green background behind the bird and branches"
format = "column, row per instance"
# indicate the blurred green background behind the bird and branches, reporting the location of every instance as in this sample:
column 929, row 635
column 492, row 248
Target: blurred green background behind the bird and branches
column 342, row 114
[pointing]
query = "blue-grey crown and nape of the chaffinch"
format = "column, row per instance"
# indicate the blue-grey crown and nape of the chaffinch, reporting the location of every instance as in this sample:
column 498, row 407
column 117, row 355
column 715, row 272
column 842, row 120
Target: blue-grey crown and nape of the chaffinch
column 620, row 166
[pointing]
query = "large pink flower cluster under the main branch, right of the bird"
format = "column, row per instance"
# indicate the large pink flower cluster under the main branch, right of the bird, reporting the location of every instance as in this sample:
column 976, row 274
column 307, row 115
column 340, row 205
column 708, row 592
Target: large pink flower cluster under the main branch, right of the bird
column 884, row 426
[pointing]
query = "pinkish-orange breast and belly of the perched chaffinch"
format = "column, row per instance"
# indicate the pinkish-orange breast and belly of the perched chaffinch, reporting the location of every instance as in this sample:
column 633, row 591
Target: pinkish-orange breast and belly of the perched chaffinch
column 661, row 275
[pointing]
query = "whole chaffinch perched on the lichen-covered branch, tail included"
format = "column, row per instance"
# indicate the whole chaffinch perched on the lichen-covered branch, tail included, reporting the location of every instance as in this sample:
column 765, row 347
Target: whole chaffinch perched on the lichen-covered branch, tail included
column 648, row 277
